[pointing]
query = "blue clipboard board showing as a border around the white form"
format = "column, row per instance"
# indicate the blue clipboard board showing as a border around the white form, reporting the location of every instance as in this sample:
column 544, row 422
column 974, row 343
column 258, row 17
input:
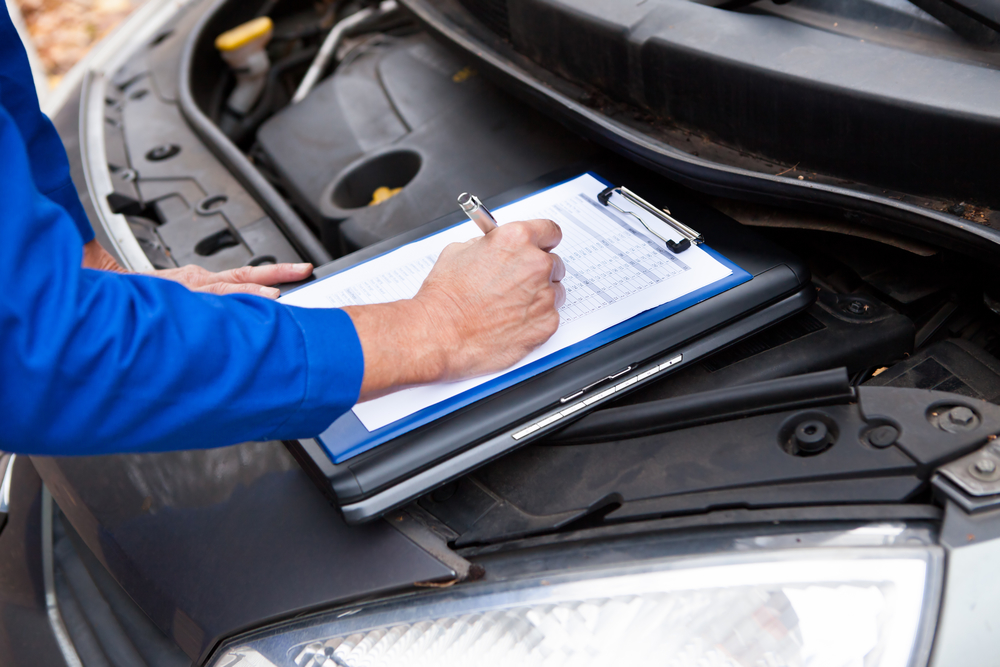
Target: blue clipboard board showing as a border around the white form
column 347, row 437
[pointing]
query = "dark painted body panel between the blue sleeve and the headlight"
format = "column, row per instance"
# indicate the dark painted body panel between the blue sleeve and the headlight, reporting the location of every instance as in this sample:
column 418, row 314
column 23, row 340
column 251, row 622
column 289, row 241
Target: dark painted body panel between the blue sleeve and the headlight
column 211, row 543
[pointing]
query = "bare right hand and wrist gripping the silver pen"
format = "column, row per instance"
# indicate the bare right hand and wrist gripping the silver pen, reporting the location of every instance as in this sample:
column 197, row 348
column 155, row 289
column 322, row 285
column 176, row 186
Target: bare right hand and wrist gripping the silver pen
column 486, row 304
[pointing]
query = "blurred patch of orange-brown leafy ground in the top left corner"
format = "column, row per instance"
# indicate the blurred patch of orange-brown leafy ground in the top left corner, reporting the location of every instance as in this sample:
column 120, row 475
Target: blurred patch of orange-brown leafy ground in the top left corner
column 62, row 31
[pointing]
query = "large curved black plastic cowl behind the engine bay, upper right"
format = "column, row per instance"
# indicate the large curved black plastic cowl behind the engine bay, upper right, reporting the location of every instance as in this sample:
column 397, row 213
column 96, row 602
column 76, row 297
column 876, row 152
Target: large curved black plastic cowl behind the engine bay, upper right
column 761, row 107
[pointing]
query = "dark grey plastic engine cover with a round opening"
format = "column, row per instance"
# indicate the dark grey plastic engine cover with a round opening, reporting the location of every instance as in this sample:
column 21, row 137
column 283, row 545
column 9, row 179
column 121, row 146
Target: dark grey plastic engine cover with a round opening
column 403, row 112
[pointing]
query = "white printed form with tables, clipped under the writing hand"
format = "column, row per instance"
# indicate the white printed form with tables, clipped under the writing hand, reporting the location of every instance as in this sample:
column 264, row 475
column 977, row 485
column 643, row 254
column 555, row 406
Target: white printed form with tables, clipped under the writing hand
column 615, row 270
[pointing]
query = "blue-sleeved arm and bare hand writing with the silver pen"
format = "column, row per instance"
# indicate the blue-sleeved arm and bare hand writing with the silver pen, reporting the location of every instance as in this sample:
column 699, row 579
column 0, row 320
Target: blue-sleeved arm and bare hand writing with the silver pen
column 98, row 362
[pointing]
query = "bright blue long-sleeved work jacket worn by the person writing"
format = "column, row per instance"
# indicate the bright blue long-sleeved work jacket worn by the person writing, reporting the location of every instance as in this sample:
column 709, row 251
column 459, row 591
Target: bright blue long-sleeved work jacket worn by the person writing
column 94, row 362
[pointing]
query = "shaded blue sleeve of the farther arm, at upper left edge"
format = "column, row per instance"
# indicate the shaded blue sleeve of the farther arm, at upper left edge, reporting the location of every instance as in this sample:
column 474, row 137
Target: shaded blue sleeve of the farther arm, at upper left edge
column 46, row 154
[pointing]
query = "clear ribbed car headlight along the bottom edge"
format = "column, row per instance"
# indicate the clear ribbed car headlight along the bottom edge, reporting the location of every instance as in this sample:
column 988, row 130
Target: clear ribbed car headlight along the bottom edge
column 823, row 606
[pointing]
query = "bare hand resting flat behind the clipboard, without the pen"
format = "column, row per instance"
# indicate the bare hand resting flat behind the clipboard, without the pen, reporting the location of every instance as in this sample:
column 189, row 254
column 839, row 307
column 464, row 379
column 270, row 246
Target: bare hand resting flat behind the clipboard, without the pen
column 244, row 280
